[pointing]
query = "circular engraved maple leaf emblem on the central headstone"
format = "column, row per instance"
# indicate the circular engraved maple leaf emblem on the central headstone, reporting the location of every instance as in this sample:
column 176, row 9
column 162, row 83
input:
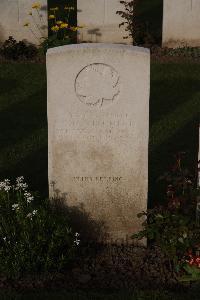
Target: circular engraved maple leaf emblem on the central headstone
column 97, row 85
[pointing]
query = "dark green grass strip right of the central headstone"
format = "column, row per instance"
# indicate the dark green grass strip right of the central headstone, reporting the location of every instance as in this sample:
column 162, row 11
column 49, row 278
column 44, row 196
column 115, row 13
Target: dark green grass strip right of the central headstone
column 174, row 121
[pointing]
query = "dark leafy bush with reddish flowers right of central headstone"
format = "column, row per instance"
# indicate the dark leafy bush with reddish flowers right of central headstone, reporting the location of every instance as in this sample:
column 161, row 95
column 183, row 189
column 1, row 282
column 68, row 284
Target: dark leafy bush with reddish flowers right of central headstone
column 173, row 227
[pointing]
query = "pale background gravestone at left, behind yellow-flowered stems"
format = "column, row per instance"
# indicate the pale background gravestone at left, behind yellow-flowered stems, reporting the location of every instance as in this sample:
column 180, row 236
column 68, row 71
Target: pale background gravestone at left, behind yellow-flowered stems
column 15, row 13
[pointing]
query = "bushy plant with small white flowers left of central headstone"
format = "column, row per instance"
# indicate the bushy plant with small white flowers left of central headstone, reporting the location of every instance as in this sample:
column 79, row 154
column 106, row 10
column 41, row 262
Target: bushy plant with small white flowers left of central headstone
column 34, row 236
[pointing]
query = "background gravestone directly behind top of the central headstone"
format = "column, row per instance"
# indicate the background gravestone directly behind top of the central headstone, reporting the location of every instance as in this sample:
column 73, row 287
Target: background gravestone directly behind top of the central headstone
column 101, row 23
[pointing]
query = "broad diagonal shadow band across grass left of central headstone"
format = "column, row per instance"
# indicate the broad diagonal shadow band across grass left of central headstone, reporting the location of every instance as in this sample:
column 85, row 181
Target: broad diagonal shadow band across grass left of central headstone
column 20, row 119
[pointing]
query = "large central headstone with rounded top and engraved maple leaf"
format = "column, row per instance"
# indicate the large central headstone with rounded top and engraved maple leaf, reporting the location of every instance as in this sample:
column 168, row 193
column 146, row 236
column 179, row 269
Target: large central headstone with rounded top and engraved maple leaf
column 98, row 124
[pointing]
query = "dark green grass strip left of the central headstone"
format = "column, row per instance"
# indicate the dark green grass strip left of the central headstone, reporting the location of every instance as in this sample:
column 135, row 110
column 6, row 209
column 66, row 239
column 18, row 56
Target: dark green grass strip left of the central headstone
column 23, row 123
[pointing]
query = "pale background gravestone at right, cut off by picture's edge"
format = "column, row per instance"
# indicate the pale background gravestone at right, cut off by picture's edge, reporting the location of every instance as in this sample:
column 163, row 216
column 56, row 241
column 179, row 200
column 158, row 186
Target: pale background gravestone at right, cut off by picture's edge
column 181, row 19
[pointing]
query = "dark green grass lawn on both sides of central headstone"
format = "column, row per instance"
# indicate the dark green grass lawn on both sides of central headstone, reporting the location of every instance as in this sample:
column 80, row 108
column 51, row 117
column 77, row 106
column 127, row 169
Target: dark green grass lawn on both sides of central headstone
column 174, row 109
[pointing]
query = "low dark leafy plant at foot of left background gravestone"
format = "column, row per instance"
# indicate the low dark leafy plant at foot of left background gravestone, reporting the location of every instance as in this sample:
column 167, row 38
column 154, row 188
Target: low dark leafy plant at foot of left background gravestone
column 11, row 49
